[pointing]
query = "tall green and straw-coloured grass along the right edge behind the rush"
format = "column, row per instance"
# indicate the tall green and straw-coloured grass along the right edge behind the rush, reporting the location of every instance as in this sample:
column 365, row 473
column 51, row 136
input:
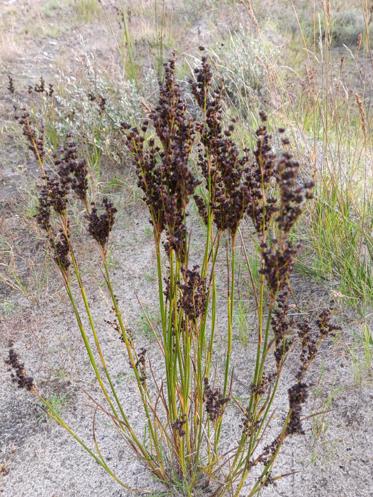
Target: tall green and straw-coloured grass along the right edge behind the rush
column 325, row 100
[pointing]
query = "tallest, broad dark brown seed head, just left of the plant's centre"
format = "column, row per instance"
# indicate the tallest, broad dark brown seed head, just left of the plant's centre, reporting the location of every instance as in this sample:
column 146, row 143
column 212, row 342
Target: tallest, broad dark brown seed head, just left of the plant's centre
column 162, row 165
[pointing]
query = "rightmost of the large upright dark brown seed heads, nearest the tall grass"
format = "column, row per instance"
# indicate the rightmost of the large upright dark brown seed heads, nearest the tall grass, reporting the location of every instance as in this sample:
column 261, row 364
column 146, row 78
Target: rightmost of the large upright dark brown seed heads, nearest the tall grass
column 277, row 195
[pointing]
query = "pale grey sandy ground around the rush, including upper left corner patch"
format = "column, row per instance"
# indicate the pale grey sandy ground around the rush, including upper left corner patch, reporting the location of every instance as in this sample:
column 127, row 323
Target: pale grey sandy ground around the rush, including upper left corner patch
column 37, row 458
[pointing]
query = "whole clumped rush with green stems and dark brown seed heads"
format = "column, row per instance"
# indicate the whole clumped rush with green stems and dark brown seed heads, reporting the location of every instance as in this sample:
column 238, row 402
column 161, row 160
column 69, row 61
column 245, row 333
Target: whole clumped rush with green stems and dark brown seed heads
column 185, row 411
